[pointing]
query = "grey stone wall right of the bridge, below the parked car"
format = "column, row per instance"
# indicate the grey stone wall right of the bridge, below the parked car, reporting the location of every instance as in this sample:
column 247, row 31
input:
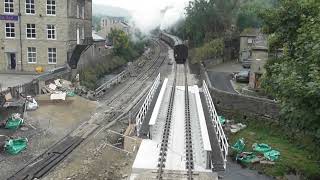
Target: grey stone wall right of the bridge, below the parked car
column 236, row 104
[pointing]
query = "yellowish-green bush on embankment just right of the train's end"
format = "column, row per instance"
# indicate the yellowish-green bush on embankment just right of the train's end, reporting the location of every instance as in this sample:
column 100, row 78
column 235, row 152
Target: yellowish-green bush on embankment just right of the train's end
column 209, row 50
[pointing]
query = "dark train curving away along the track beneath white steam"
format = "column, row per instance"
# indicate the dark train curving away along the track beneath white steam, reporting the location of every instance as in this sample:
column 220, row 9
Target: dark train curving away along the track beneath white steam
column 179, row 48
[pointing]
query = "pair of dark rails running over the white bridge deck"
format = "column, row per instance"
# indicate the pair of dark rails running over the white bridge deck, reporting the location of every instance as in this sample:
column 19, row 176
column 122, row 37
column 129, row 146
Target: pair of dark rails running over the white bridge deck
column 166, row 132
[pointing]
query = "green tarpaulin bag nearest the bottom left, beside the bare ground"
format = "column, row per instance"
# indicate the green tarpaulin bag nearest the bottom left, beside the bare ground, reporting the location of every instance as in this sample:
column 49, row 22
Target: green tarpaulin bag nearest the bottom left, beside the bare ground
column 15, row 146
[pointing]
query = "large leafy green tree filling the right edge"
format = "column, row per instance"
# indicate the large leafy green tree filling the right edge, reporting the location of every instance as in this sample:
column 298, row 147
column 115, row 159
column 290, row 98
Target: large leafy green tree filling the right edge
column 294, row 78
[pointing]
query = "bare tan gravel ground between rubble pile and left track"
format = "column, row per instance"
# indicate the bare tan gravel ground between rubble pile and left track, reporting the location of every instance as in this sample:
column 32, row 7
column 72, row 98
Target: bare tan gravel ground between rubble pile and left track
column 44, row 127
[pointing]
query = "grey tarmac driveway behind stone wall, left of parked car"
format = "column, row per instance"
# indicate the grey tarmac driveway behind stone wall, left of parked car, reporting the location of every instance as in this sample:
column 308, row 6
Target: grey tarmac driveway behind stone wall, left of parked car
column 221, row 81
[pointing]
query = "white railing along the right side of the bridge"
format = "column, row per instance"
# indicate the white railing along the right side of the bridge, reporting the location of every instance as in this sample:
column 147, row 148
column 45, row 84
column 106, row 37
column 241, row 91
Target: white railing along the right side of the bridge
column 223, row 142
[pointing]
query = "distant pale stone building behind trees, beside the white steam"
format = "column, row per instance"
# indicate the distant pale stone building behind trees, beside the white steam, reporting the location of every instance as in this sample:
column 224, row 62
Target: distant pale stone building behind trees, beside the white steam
column 109, row 23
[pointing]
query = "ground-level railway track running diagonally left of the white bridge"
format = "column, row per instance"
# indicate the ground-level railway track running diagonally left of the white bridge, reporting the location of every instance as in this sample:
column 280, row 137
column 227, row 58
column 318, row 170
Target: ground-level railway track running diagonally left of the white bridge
column 40, row 166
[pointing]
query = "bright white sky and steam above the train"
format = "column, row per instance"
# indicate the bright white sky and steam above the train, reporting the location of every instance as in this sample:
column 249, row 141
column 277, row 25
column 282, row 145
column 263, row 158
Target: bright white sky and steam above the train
column 147, row 14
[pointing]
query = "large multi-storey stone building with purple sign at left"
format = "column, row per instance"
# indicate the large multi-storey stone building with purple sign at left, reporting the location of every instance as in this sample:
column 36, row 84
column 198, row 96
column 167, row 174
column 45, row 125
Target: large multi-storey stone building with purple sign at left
column 43, row 34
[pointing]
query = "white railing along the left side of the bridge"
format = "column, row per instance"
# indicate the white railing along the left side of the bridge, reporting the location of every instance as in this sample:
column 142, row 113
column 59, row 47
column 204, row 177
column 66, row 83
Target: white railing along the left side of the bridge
column 144, row 109
